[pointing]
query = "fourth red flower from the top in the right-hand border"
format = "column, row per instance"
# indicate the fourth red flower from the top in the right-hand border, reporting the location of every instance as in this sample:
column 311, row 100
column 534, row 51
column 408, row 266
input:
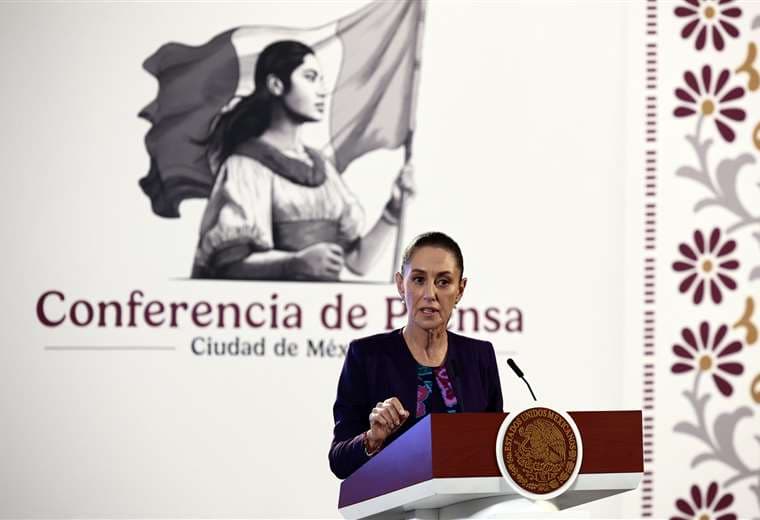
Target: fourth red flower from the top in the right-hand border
column 706, row 356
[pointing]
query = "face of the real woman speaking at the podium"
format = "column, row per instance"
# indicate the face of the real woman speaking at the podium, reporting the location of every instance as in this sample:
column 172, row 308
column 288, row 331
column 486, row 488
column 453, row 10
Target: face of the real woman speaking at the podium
column 430, row 286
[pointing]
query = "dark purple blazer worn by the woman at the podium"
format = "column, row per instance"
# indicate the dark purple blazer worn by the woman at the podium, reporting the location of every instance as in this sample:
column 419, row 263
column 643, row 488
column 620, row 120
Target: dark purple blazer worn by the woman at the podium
column 381, row 366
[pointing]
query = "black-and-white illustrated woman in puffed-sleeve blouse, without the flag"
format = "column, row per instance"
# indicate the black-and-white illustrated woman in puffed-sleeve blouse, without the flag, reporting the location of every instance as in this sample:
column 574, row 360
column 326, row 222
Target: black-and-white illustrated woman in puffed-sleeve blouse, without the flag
column 278, row 209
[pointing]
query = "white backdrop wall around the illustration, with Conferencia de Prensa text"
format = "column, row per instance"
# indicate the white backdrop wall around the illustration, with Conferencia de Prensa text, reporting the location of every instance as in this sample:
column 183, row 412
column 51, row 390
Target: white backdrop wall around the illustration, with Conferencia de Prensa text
column 127, row 389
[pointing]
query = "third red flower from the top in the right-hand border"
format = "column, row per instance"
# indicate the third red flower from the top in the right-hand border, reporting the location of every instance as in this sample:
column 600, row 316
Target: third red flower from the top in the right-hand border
column 707, row 262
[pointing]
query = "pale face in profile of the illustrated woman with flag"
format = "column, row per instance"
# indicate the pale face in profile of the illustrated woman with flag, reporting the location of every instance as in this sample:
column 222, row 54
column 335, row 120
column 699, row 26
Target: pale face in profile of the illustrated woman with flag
column 306, row 97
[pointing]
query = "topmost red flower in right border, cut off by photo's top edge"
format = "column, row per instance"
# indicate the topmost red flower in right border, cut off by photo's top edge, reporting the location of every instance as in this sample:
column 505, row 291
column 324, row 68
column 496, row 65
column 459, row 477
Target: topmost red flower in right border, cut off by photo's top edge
column 708, row 18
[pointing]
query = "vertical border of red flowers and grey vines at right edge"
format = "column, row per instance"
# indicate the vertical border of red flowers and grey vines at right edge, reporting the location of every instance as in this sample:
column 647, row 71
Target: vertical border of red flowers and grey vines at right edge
column 708, row 263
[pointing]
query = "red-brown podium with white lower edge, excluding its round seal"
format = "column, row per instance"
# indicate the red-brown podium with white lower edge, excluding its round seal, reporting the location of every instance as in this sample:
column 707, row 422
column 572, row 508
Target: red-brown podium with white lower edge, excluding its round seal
column 445, row 467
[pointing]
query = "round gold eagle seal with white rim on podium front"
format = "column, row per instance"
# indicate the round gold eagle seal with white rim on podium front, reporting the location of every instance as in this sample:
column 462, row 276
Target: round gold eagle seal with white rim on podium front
column 539, row 452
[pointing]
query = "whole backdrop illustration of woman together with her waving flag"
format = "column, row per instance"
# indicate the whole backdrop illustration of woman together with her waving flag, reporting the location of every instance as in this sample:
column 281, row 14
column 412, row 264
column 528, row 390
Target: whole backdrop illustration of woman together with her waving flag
column 359, row 95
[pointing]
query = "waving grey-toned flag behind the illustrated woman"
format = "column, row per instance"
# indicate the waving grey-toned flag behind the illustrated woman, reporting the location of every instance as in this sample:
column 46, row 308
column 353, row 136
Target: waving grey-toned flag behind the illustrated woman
column 369, row 59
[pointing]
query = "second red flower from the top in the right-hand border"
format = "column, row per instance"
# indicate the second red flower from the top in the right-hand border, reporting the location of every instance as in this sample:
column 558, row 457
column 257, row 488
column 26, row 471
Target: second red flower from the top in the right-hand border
column 706, row 98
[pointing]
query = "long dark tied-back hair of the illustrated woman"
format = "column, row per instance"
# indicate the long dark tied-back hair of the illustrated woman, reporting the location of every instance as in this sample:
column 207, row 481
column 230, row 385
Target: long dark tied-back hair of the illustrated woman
column 253, row 114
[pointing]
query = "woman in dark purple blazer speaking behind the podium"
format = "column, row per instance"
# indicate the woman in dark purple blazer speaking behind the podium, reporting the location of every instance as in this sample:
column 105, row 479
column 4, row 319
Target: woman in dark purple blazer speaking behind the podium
column 392, row 380
